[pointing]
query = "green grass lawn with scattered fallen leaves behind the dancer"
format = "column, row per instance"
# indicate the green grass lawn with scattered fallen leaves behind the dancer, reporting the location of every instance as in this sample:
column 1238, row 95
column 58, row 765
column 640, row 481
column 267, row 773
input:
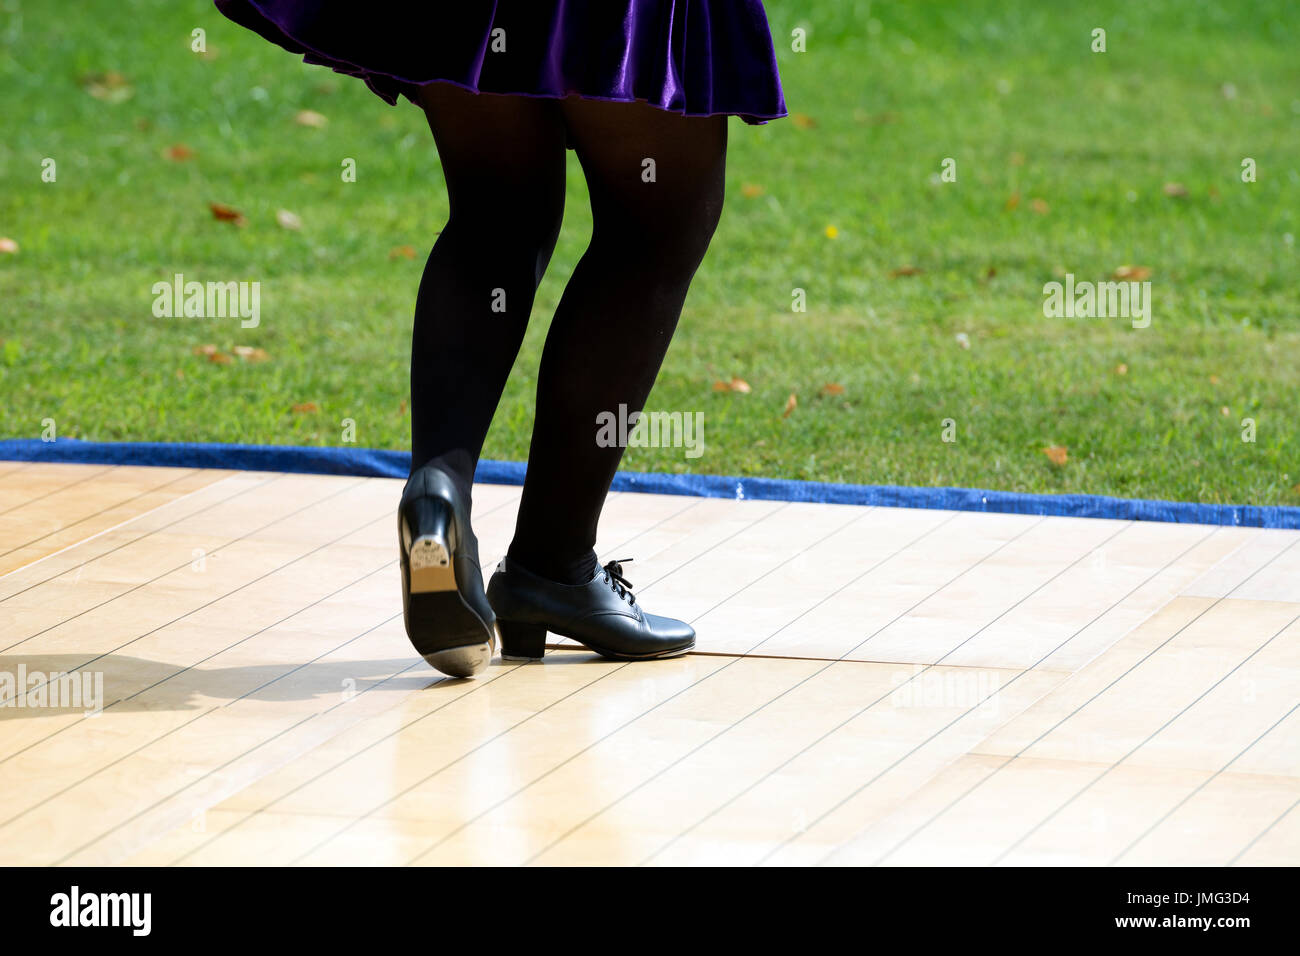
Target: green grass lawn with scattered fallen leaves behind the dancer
column 1011, row 90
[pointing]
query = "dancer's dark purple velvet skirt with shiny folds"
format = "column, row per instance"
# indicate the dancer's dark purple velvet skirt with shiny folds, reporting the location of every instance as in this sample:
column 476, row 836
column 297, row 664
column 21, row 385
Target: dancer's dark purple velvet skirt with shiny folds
column 697, row 58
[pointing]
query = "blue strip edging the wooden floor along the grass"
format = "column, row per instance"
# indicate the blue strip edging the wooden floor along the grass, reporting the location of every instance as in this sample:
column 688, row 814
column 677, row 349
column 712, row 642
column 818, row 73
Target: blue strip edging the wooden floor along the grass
column 378, row 464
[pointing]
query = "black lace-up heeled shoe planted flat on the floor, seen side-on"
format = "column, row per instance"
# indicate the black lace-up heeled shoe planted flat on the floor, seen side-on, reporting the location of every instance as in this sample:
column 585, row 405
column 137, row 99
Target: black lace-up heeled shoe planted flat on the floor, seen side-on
column 603, row 615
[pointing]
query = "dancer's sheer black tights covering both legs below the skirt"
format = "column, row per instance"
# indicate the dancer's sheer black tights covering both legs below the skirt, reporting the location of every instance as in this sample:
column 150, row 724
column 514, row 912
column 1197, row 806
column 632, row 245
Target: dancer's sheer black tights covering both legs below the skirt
column 504, row 162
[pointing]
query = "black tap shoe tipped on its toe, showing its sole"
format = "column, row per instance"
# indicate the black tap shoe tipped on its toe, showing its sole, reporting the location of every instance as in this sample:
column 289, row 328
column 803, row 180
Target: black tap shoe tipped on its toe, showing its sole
column 448, row 616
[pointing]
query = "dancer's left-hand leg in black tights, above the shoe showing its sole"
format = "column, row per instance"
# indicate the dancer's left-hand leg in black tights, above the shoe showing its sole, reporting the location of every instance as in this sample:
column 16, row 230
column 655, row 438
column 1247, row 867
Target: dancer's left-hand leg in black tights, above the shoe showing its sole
column 504, row 163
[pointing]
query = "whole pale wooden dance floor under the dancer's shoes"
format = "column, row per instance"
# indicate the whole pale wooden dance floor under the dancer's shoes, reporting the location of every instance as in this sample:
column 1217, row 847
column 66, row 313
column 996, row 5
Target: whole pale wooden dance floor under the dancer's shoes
column 872, row 686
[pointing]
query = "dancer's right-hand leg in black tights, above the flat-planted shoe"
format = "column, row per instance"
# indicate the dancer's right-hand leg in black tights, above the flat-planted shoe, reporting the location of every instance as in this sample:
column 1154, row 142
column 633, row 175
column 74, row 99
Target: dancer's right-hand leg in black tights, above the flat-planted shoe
column 657, row 184
